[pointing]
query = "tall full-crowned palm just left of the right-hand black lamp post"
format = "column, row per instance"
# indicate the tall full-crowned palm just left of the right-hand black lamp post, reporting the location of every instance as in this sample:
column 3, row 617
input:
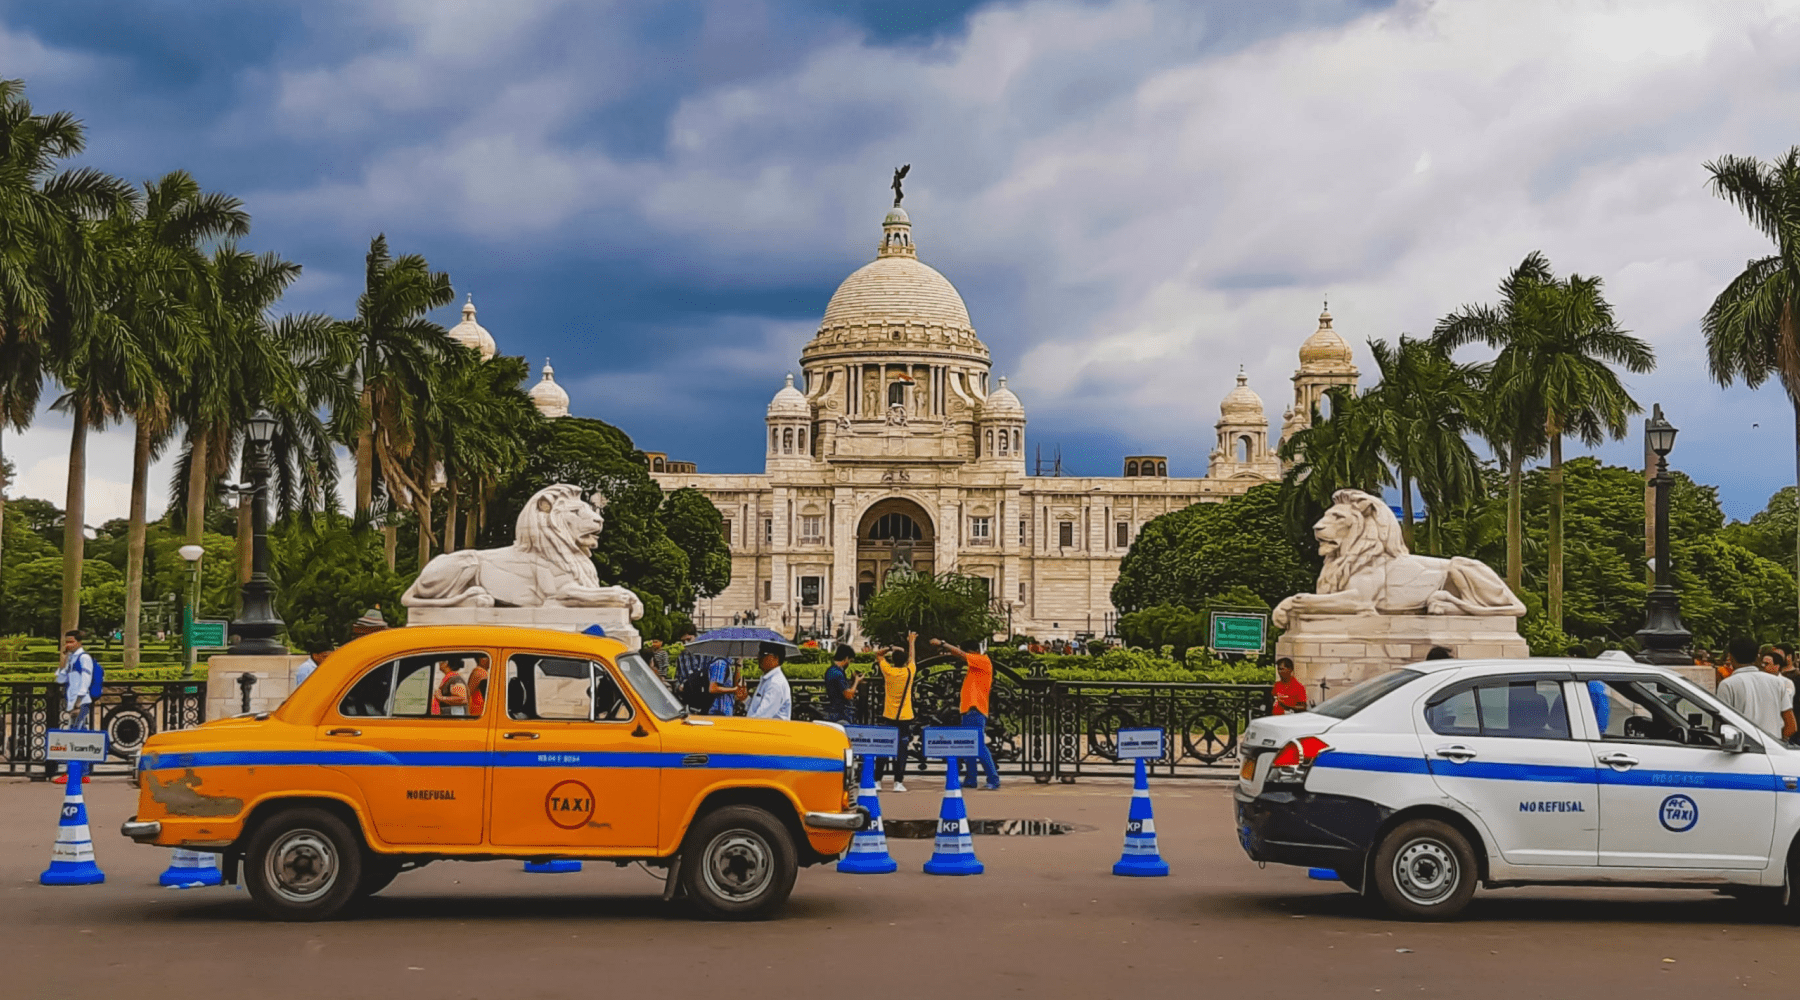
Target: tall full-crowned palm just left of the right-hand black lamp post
column 1556, row 362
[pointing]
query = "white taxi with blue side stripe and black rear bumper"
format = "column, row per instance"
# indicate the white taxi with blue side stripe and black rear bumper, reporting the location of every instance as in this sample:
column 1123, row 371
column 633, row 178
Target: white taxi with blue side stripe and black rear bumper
column 1428, row 781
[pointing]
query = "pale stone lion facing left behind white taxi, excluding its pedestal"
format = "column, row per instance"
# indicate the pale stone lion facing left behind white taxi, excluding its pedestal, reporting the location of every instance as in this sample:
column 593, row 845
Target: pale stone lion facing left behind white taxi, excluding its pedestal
column 1371, row 573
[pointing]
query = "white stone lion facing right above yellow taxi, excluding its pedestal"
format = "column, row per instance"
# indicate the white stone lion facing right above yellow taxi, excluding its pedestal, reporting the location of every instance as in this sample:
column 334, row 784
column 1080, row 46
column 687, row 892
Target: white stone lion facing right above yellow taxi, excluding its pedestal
column 546, row 566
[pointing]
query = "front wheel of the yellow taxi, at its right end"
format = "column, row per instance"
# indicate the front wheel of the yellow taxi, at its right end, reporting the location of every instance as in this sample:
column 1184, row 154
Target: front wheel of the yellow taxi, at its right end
column 739, row 864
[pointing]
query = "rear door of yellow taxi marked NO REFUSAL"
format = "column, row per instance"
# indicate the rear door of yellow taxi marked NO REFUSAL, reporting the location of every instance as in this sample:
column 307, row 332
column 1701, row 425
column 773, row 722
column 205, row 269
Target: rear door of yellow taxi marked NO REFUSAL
column 418, row 760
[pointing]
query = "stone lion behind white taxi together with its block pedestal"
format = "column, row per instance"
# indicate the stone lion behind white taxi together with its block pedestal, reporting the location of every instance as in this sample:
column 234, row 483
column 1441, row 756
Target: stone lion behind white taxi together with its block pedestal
column 1380, row 607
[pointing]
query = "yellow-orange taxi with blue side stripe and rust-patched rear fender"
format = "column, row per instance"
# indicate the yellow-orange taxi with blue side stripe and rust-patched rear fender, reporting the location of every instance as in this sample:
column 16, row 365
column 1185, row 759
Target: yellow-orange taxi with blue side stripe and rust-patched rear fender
column 481, row 742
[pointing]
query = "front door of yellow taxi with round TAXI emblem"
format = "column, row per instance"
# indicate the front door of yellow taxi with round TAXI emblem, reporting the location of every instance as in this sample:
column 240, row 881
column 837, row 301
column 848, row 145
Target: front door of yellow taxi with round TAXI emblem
column 575, row 762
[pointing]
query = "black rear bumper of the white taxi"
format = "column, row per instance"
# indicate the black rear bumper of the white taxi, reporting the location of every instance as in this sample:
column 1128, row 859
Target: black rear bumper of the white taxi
column 1309, row 830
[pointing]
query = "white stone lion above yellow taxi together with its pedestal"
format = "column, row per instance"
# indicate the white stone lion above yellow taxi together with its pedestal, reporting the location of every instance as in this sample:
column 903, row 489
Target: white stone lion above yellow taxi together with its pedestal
column 544, row 580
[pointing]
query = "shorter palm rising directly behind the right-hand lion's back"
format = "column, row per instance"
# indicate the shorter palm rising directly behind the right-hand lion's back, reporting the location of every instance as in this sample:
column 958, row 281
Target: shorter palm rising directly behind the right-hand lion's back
column 1419, row 411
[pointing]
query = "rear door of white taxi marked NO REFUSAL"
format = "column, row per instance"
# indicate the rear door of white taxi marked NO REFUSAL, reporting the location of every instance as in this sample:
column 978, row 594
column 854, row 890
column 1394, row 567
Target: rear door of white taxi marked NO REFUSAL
column 1502, row 747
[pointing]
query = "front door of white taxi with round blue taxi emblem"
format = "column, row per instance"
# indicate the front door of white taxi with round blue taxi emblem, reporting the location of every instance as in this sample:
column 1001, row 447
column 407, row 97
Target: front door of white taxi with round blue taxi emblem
column 1669, row 798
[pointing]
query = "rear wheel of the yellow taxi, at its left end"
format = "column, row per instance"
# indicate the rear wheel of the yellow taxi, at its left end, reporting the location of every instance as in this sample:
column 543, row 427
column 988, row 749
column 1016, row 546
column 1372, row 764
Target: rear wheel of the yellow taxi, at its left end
column 303, row 864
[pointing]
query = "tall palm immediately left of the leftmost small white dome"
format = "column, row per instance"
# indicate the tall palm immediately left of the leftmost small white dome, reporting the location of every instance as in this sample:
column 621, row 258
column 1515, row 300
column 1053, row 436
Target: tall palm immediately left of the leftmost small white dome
column 399, row 357
